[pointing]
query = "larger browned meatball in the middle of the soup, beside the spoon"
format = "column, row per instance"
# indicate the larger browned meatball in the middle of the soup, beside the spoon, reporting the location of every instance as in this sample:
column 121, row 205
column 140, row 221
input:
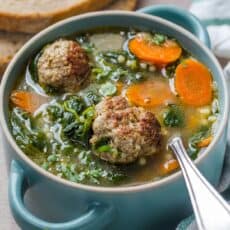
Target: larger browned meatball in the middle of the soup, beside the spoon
column 123, row 133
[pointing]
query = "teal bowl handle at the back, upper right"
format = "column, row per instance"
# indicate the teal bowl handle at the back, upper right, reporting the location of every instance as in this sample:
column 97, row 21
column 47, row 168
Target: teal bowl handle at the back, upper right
column 180, row 17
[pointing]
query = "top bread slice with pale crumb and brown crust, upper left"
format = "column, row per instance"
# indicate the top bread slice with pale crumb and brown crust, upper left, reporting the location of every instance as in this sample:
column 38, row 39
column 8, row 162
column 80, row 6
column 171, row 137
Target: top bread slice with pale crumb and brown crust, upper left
column 31, row 16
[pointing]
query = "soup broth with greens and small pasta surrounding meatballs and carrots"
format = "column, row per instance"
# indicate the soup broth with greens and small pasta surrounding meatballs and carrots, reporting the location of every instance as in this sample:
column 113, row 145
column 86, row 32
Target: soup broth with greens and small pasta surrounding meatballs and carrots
column 47, row 143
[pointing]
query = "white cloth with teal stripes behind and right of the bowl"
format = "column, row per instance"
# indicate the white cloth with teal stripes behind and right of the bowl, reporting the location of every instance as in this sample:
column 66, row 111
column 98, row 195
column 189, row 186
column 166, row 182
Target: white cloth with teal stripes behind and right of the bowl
column 215, row 15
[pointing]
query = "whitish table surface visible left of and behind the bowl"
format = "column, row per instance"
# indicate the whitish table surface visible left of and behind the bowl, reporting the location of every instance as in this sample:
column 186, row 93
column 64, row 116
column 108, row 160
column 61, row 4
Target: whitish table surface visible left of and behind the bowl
column 6, row 220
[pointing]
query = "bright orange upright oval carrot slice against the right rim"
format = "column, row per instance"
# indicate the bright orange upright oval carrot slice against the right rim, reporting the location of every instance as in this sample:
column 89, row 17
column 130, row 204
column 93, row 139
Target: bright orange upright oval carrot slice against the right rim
column 193, row 83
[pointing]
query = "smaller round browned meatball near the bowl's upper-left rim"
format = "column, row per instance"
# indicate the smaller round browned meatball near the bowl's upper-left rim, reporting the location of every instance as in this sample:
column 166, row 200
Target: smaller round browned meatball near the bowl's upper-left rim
column 63, row 65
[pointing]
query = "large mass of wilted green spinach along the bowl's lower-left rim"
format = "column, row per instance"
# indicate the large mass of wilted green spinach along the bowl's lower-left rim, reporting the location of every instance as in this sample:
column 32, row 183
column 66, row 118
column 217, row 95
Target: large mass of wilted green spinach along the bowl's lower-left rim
column 59, row 154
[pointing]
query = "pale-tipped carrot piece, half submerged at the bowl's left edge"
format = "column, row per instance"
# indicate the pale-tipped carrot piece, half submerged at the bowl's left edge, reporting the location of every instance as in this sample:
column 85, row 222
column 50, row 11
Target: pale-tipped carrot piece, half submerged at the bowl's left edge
column 28, row 101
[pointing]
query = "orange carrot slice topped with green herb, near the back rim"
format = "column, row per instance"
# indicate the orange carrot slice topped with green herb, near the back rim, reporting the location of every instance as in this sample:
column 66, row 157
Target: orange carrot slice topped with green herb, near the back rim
column 162, row 54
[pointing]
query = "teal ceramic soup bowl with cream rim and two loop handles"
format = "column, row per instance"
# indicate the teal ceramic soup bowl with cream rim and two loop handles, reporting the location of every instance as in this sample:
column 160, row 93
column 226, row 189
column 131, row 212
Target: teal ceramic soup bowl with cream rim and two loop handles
column 55, row 203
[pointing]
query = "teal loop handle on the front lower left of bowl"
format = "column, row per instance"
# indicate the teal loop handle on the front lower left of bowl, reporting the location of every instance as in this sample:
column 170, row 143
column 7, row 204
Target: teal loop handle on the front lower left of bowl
column 98, row 216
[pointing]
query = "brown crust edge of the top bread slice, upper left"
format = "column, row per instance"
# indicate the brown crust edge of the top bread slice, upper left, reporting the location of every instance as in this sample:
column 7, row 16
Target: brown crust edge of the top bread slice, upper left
column 34, row 22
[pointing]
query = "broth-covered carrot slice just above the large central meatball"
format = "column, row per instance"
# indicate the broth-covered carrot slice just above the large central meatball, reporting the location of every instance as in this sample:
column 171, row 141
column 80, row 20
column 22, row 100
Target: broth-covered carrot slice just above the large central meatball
column 150, row 93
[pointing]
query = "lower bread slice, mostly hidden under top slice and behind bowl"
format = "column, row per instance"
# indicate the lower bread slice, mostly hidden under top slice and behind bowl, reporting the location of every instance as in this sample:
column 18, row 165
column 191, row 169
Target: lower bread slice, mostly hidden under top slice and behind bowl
column 10, row 42
